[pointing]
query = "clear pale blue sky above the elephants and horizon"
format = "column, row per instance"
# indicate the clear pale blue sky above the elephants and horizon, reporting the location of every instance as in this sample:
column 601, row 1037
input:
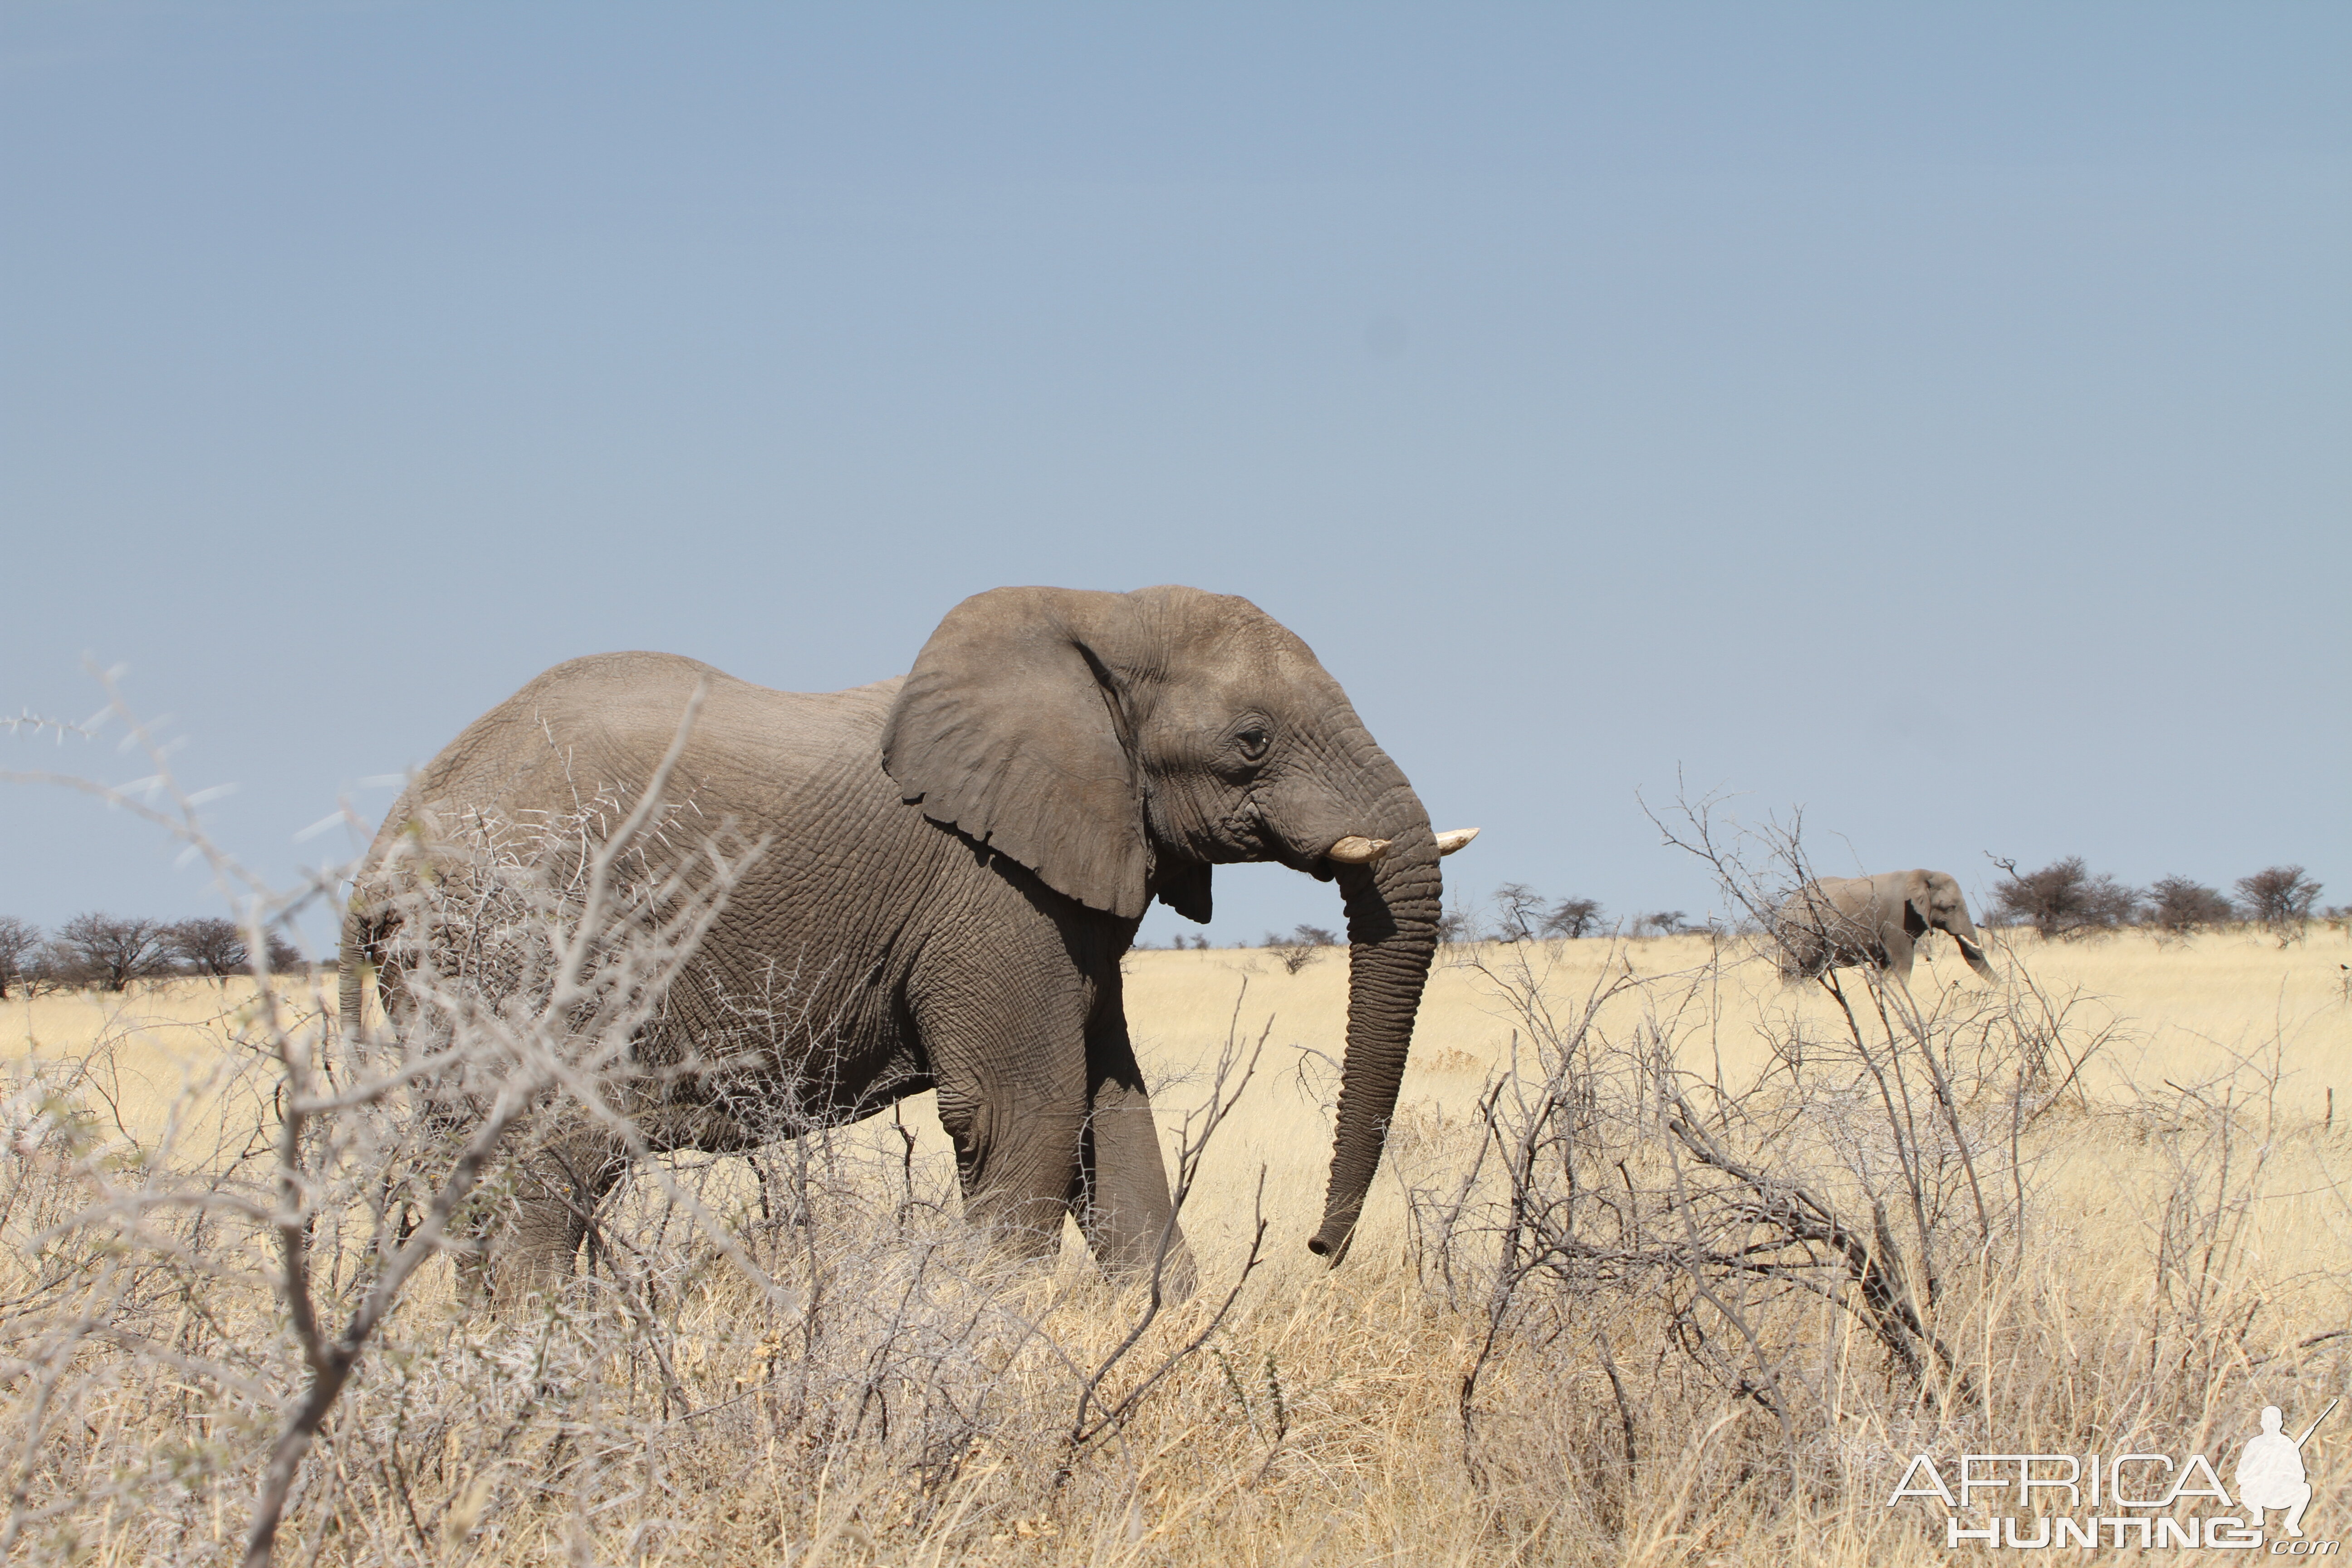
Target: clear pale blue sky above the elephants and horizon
column 1930, row 417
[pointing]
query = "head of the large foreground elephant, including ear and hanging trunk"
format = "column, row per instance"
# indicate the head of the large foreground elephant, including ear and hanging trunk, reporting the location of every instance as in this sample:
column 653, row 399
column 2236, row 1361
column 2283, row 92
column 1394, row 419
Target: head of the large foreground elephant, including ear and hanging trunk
column 1121, row 746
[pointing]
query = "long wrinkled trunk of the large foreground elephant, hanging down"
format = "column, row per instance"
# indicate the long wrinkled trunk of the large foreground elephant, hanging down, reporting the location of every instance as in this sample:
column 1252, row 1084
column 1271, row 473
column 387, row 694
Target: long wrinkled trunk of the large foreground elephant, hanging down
column 1391, row 939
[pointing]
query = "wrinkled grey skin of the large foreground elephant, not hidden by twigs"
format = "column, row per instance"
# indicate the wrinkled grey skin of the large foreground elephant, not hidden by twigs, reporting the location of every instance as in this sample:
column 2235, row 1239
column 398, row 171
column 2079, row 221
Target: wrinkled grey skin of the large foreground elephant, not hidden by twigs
column 956, row 864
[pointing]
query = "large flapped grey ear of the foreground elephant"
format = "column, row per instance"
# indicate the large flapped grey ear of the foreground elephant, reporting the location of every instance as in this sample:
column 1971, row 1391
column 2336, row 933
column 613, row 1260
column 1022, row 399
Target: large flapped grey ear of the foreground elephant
column 1010, row 730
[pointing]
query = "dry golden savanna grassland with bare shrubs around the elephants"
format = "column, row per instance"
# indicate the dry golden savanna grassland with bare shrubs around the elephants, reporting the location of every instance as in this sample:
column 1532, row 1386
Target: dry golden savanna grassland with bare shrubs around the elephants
column 2099, row 1207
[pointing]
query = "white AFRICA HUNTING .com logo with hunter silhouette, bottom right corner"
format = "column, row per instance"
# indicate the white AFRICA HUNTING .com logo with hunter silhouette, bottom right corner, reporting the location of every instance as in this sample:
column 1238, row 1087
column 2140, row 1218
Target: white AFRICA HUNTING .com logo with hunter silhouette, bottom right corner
column 2033, row 1501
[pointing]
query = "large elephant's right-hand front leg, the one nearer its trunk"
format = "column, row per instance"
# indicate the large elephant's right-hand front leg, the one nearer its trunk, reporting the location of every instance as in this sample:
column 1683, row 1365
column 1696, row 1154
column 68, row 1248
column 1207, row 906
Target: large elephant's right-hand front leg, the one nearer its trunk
column 1123, row 1191
